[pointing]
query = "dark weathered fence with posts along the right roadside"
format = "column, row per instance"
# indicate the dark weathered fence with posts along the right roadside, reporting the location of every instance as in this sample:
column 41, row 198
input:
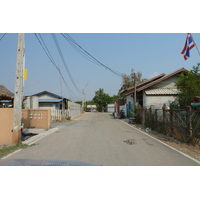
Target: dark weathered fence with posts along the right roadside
column 184, row 125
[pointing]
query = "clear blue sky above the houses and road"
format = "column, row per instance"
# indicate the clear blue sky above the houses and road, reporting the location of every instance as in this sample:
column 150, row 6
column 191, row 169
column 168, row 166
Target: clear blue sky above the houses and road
column 150, row 54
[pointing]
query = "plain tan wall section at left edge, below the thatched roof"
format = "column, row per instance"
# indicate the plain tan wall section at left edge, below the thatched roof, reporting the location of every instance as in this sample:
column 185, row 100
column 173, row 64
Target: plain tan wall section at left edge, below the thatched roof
column 6, row 122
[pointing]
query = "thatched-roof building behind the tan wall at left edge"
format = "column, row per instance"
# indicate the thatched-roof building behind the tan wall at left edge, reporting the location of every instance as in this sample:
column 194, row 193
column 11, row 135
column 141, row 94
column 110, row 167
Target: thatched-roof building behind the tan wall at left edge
column 6, row 97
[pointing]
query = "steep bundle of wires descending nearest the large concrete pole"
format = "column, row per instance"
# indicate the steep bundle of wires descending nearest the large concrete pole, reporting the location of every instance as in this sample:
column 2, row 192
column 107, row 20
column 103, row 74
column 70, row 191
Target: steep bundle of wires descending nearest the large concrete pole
column 44, row 47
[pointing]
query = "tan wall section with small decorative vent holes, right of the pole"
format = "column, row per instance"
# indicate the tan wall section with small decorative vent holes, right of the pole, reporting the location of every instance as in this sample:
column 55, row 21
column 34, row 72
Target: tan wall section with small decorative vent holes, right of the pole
column 38, row 118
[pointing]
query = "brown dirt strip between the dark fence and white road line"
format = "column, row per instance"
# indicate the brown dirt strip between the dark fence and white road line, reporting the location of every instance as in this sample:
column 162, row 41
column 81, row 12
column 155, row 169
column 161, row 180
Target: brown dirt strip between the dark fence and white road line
column 193, row 151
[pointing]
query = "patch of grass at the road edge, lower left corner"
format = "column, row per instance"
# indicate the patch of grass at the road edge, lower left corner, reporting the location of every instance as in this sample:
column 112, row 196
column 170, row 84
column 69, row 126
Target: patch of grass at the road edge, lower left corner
column 7, row 149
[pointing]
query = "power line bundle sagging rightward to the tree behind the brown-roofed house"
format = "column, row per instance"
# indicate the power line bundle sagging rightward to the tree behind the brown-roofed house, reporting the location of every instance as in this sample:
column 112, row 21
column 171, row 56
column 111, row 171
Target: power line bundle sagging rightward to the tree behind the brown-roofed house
column 86, row 54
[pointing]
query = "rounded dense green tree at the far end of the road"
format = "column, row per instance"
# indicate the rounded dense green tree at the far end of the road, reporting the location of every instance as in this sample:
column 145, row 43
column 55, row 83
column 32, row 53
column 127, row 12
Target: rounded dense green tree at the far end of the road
column 101, row 99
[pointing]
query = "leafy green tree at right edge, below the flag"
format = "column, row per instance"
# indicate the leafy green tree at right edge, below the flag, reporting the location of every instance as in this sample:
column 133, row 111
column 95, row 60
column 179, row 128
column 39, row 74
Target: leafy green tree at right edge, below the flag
column 188, row 85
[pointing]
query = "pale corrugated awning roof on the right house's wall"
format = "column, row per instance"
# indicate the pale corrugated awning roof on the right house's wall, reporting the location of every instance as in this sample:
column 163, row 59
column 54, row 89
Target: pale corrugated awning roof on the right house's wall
column 162, row 91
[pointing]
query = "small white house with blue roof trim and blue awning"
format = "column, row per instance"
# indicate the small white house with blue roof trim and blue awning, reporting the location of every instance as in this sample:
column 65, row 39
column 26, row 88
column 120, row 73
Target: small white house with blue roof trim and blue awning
column 46, row 100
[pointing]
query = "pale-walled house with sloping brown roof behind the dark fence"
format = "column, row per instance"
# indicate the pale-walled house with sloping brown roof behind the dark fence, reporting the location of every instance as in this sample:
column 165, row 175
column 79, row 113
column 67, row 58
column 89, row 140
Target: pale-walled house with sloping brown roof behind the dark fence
column 154, row 92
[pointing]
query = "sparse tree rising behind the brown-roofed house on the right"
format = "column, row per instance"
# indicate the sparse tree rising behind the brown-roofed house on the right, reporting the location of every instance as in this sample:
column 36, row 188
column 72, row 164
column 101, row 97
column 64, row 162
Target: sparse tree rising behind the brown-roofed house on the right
column 128, row 81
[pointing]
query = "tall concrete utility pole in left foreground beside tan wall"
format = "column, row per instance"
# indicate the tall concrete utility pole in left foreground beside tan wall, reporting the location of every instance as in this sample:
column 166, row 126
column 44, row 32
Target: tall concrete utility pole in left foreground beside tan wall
column 18, row 95
